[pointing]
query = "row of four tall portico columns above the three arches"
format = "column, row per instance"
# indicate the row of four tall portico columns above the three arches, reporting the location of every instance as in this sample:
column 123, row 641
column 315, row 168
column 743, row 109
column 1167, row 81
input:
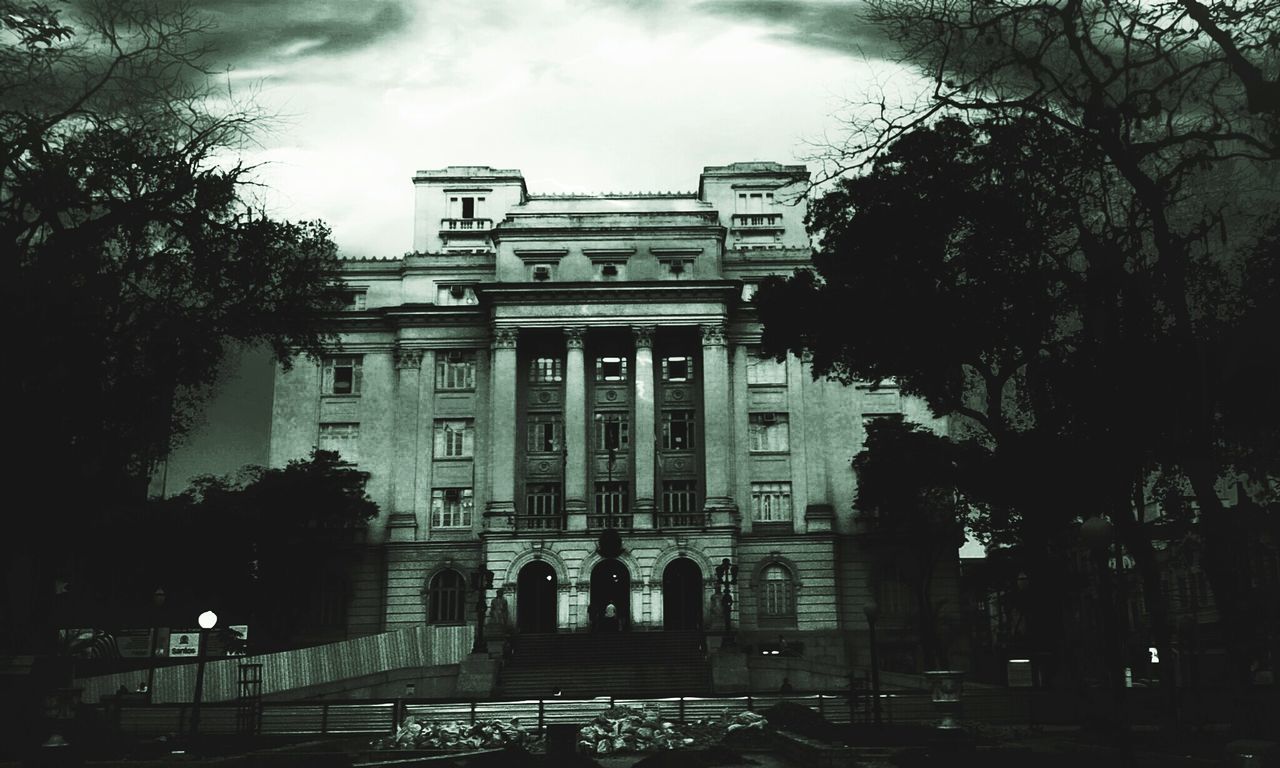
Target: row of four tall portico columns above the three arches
column 504, row 440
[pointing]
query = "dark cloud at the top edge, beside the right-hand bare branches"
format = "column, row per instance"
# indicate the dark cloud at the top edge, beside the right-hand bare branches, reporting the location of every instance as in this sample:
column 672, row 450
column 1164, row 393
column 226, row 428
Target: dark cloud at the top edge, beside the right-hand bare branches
column 829, row 26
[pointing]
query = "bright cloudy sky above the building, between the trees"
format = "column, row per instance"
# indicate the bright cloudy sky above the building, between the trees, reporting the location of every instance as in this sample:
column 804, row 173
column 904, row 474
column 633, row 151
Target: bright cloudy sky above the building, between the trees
column 580, row 95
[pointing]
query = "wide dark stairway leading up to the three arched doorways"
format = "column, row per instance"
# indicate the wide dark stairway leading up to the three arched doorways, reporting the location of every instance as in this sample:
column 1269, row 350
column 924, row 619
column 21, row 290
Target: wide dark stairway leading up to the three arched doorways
column 624, row 665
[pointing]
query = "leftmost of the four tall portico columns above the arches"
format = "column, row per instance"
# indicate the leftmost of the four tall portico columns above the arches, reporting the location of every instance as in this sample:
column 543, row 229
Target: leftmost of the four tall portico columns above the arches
column 502, row 431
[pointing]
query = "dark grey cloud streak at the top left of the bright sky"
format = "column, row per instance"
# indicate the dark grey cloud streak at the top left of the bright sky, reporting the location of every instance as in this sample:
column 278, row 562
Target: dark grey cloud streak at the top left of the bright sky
column 249, row 33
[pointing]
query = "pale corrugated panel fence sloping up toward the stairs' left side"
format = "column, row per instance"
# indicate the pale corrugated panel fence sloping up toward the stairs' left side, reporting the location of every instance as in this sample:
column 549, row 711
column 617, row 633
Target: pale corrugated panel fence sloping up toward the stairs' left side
column 290, row 670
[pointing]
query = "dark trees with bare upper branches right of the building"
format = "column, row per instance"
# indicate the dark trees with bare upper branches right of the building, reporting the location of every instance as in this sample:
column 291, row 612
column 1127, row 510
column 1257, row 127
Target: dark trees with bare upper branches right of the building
column 1071, row 246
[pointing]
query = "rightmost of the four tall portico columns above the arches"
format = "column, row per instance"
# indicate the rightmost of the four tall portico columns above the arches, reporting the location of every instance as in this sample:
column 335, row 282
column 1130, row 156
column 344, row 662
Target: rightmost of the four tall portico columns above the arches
column 717, row 451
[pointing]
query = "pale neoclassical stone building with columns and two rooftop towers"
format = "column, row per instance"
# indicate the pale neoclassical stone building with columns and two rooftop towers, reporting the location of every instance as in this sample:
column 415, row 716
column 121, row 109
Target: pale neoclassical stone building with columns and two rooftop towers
column 547, row 368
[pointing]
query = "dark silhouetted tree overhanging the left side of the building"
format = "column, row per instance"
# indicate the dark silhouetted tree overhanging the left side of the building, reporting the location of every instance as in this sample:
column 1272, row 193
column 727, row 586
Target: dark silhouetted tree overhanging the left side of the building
column 138, row 258
